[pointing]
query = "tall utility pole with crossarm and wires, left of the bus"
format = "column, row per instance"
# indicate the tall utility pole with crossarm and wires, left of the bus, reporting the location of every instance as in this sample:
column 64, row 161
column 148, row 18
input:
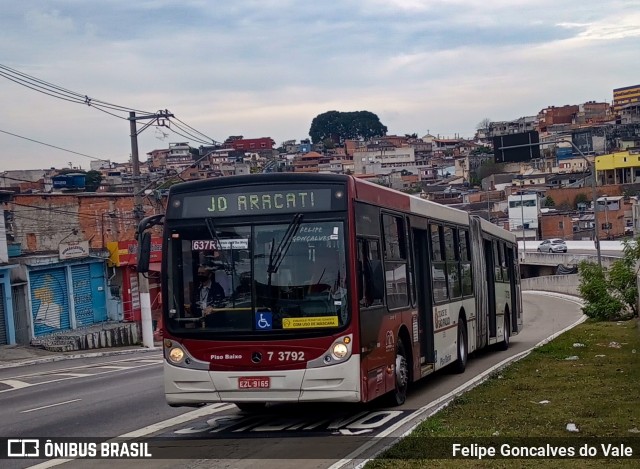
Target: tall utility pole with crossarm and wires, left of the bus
column 138, row 213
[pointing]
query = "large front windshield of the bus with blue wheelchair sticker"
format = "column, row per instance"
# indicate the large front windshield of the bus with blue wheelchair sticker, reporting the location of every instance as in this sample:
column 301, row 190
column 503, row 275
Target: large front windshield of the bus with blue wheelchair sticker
column 257, row 279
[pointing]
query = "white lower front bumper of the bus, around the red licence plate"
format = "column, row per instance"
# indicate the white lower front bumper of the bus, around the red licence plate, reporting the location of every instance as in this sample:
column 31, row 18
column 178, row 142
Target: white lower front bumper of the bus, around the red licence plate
column 336, row 383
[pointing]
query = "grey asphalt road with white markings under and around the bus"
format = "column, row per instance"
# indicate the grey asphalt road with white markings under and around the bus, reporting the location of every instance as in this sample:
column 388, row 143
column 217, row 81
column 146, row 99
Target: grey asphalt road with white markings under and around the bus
column 109, row 398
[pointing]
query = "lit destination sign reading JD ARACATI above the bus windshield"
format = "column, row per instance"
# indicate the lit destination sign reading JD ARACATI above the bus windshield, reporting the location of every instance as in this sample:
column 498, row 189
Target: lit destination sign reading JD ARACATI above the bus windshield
column 256, row 203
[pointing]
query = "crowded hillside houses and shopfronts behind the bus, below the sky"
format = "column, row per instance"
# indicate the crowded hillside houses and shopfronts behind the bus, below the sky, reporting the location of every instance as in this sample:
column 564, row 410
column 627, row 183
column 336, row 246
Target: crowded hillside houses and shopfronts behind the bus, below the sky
column 67, row 236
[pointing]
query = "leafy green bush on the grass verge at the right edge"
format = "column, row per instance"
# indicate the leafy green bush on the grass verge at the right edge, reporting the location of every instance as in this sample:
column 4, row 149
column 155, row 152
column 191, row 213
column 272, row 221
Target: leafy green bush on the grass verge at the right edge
column 611, row 294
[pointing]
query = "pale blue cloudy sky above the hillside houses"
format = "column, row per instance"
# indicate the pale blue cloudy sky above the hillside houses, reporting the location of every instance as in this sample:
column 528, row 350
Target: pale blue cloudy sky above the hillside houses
column 266, row 68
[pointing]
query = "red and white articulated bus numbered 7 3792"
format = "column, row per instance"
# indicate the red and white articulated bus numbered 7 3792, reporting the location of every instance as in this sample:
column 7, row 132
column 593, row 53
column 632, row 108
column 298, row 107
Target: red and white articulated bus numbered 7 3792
column 288, row 287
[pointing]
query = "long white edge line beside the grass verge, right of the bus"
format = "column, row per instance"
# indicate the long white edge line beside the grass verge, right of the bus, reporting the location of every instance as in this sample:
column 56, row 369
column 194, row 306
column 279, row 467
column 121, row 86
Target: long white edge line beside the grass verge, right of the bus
column 440, row 403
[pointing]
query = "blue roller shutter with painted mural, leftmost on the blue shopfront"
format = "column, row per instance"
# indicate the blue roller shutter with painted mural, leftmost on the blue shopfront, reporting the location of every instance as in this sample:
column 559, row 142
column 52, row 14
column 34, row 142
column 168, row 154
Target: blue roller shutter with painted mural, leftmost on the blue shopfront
column 49, row 301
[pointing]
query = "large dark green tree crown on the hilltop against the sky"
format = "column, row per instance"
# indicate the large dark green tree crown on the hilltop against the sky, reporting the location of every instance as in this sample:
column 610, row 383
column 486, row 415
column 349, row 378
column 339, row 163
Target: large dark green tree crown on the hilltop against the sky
column 340, row 126
